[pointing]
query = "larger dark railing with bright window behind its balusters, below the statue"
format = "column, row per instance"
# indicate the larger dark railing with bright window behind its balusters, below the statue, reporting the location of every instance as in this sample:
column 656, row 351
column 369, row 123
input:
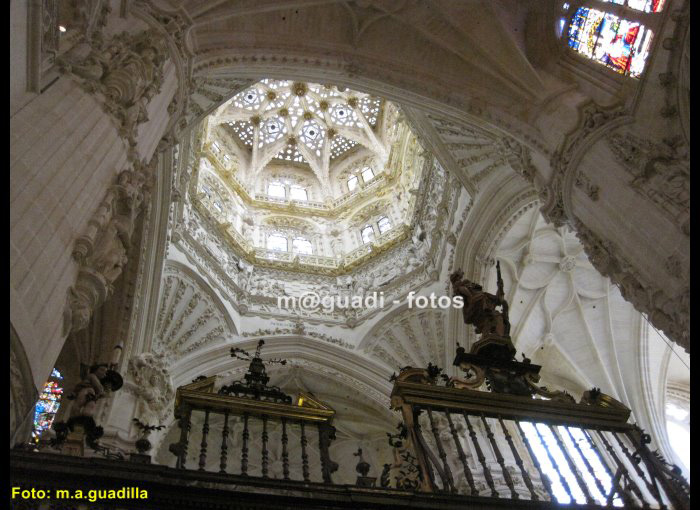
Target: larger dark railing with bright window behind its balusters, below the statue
column 507, row 444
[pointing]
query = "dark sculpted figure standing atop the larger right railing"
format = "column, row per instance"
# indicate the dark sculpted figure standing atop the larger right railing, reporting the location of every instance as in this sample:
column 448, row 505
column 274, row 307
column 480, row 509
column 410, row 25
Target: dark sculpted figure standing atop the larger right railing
column 480, row 307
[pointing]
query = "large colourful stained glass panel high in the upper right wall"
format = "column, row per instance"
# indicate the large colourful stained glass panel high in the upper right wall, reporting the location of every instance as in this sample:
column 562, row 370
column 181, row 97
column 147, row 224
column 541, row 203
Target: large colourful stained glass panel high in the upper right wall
column 618, row 43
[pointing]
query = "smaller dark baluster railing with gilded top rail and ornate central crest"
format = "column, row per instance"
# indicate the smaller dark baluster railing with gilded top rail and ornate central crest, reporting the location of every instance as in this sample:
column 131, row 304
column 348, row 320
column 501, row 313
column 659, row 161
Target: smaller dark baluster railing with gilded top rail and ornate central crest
column 266, row 420
